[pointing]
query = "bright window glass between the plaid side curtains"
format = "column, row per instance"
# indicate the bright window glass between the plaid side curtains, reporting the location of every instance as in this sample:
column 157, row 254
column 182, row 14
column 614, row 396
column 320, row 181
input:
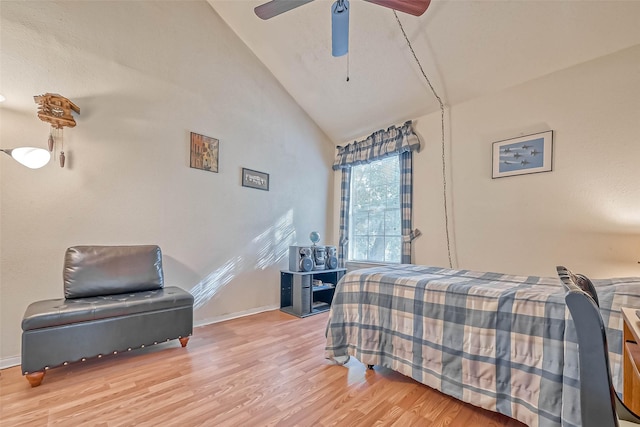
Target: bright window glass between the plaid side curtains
column 375, row 228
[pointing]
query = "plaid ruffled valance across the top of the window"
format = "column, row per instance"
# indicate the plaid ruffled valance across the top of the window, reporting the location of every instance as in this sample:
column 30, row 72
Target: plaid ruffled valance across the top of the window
column 379, row 144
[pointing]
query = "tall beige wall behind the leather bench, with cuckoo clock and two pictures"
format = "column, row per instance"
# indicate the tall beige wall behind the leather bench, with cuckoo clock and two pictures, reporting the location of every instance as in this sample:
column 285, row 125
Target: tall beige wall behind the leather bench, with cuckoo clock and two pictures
column 145, row 74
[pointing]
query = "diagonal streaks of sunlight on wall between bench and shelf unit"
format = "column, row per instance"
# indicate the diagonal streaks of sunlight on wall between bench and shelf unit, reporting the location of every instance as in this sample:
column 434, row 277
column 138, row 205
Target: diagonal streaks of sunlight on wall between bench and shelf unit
column 265, row 250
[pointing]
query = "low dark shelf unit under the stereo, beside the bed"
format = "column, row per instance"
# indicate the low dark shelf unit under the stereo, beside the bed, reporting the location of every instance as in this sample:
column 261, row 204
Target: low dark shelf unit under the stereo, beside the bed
column 300, row 297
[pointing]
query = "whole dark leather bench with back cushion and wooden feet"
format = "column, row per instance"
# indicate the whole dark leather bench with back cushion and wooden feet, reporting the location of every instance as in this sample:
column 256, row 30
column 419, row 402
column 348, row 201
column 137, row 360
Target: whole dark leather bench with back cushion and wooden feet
column 115, row 300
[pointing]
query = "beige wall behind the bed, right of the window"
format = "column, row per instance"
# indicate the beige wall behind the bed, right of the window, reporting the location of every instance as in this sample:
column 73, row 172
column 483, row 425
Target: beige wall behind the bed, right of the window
column 584, row 214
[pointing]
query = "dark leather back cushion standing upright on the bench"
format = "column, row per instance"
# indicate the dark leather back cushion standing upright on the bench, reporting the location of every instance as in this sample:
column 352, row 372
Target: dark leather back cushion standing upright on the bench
column 106, row 270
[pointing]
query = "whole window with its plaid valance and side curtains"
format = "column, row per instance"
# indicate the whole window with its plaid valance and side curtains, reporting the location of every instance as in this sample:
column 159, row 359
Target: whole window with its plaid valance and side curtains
column 376, row 202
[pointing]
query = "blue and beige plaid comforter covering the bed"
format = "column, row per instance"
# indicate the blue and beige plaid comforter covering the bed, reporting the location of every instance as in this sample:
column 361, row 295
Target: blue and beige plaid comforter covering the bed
column 505, row 343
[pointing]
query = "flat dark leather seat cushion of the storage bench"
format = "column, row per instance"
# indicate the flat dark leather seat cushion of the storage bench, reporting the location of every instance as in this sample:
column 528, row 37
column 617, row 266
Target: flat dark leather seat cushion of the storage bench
column 56, row 312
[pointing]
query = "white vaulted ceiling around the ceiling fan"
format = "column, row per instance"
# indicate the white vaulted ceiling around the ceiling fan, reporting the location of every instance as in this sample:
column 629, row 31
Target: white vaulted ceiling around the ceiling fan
column 468, row 48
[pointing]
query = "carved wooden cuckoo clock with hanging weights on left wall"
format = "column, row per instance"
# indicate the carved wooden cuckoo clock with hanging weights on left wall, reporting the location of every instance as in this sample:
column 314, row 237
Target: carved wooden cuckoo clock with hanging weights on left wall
column 56, row 110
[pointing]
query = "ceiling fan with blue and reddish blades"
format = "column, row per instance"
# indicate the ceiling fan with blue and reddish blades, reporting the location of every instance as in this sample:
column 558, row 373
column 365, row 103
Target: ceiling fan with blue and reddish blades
column 340, row 16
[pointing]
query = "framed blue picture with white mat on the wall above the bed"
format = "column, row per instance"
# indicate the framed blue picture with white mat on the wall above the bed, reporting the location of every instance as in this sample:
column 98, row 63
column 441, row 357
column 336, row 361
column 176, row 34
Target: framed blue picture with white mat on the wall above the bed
column 523, row 155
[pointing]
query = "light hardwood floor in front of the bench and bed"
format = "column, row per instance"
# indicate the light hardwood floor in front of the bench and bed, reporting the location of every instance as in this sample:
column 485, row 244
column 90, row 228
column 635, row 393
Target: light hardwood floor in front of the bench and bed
column 261, row 370
